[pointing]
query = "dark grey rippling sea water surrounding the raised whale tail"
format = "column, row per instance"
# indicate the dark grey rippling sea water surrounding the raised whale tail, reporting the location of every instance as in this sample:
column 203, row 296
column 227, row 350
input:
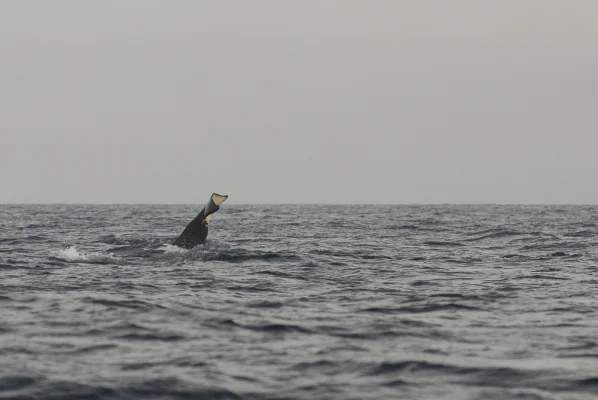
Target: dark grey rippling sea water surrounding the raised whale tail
column 299, row 302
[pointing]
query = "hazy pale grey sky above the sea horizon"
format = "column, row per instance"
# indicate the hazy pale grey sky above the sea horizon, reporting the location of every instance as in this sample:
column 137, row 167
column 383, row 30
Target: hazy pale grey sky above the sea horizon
column 461, row 101
